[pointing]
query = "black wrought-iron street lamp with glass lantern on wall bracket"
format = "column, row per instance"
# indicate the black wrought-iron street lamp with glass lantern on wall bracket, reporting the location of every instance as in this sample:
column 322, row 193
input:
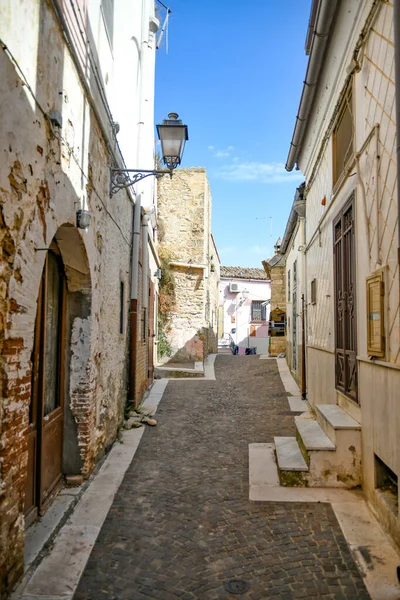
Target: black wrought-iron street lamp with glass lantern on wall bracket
column 173, row 135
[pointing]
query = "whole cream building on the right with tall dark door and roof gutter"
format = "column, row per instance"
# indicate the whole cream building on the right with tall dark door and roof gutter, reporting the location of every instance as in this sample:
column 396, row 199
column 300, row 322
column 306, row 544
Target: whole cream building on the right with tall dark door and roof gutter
column 344, row 142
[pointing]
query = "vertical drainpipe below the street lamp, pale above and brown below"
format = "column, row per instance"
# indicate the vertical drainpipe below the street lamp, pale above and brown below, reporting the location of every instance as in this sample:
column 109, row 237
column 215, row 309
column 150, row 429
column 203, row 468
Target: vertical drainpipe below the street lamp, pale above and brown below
column 133, row 312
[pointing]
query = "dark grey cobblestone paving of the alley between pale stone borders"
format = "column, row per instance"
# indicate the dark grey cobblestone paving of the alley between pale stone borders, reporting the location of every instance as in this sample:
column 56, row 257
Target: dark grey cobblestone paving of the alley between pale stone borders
column 181, row 524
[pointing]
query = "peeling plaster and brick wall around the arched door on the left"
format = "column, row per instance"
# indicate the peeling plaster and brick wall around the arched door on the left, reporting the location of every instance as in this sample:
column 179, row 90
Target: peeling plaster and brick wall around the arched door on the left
column 47, row 173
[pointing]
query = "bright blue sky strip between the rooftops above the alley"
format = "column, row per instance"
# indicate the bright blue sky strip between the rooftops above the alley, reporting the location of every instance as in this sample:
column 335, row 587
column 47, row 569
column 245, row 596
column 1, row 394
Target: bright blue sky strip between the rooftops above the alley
column 234, row 73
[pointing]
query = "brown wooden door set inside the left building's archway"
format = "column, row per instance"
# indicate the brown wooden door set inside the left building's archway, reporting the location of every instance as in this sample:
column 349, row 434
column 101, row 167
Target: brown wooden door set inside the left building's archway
column 45, row 436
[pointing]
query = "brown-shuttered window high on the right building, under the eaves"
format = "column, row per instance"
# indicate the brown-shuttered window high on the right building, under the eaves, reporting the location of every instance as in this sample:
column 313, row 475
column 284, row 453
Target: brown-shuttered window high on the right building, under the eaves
column 343, row 137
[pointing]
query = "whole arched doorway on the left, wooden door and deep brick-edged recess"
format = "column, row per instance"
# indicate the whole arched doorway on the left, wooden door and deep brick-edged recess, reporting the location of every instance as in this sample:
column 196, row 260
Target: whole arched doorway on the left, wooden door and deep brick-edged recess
column 61, row 402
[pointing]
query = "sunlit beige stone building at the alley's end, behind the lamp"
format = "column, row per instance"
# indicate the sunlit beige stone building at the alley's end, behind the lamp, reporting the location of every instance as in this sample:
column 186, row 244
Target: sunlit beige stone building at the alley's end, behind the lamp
column 186, row 242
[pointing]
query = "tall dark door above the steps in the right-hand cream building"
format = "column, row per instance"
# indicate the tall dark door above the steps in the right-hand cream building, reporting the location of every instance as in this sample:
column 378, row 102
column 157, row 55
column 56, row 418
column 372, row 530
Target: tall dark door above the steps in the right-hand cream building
column 345, row 302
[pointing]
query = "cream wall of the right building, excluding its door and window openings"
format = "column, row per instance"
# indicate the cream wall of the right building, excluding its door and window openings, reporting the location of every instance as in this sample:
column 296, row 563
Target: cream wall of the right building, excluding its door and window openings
column 374, row 186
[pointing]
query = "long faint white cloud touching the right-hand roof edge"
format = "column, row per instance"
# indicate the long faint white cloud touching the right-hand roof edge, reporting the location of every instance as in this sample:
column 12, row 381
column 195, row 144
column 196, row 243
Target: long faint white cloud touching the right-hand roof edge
column 256, row 171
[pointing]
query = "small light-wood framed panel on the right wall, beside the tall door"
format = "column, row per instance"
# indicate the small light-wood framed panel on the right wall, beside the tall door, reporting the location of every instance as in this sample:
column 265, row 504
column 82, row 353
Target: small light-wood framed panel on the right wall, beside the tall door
column 375, row 315
